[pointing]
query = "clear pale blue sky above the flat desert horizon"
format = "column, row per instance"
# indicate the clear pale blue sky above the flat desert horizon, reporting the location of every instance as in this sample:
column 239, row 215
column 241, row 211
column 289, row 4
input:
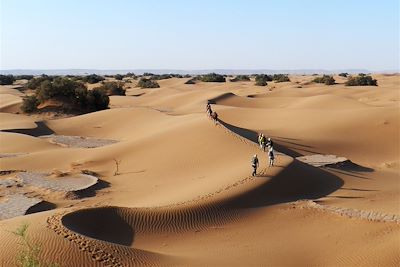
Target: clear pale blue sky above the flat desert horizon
column 173, row 34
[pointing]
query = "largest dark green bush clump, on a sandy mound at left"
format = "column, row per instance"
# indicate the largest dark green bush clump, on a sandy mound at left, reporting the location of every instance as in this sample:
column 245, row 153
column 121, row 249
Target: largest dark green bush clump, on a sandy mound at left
column 74, row 95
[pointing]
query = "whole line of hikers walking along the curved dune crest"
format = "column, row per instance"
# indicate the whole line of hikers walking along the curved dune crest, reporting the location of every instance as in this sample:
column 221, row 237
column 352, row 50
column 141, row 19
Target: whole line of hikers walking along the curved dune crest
column 263, row 141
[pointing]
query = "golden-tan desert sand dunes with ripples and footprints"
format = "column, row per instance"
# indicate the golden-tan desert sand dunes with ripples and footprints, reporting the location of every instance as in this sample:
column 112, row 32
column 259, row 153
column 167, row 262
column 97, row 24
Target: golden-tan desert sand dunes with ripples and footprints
column 183, row 194
